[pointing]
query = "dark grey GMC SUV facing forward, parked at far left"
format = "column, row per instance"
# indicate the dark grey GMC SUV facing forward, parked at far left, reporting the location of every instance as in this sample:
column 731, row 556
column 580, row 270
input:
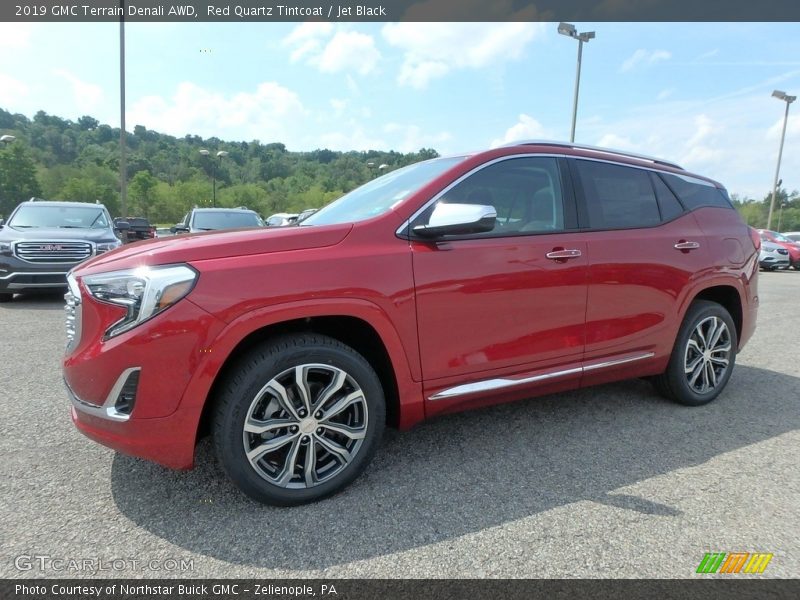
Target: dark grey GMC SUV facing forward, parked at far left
column 43, row 240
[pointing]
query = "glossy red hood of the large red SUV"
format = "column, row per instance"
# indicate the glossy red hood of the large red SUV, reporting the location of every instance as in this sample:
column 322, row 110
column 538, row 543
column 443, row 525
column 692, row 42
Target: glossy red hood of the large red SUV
column 212, row 245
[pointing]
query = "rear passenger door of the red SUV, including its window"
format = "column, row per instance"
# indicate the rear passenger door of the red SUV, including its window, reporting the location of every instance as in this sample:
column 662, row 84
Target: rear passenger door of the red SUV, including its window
column 644, row 250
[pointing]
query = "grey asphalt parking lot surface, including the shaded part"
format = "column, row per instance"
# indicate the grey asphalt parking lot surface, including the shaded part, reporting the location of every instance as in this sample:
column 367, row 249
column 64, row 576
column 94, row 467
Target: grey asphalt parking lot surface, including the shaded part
column 605, row 482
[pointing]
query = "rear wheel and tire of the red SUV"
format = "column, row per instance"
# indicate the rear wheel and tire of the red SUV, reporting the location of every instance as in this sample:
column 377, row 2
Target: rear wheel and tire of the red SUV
column 710, row 371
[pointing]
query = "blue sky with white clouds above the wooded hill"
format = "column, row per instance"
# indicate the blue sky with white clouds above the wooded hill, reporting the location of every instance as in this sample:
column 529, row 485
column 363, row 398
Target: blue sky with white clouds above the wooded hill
column 698, row 94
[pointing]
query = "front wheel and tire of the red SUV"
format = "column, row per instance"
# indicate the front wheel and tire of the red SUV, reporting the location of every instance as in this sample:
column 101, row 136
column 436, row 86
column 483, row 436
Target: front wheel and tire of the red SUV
column 287, row 456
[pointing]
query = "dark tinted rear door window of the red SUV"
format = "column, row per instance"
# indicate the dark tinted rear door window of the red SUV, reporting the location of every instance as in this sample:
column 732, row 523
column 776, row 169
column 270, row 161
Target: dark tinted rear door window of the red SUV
column 617, row 197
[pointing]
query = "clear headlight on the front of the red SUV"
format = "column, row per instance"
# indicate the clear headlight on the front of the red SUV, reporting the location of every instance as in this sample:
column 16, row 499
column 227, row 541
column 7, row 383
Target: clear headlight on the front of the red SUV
column 143, row 292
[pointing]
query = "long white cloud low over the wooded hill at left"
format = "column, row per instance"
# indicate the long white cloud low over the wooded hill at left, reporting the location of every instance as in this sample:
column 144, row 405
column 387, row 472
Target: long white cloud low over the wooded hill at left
column 268, row 113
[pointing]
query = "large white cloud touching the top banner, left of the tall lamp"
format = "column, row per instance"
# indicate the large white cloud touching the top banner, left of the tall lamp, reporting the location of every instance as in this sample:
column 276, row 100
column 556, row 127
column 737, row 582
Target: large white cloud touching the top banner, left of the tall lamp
column 431, row 50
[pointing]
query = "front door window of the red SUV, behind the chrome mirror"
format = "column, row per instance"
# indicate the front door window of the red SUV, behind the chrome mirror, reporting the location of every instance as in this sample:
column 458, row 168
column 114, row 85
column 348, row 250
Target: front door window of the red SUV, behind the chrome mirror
column 526, row 193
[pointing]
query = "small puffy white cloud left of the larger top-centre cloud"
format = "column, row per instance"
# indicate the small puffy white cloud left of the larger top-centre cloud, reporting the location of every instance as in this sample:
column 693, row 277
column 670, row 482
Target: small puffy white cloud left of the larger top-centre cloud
column 345, row 51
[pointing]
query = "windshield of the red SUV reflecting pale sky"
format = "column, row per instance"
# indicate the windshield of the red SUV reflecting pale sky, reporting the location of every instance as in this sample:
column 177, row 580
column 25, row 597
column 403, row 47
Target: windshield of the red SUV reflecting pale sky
column 381, row 194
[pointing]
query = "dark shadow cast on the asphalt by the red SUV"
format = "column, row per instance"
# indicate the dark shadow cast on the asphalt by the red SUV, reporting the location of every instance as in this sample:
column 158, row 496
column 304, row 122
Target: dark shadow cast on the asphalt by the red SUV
column 464, row 473
